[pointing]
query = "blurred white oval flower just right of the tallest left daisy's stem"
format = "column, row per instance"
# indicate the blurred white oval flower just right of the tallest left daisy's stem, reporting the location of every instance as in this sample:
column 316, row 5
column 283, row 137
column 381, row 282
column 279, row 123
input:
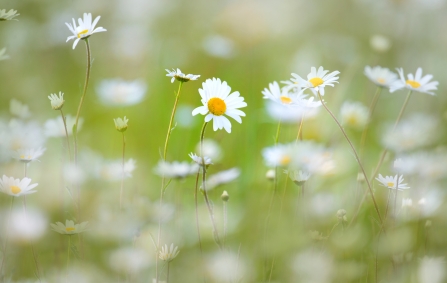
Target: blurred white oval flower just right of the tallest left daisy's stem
column 118, row 92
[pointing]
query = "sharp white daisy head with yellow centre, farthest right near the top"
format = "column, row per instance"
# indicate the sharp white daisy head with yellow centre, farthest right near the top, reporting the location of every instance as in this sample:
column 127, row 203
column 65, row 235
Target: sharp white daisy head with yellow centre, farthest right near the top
column 415, row 82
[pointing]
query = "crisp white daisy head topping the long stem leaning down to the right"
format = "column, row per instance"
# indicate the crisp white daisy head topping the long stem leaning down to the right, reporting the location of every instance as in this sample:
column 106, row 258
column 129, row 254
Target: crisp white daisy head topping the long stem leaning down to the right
column 317, row 80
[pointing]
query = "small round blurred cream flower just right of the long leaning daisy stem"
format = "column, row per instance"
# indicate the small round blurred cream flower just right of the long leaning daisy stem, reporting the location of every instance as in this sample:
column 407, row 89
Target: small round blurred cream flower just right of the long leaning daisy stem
column 354, row 114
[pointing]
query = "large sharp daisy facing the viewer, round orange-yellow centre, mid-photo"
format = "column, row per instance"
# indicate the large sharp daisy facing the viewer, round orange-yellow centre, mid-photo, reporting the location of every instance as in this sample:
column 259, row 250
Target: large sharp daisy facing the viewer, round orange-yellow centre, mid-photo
column 217, row 101
